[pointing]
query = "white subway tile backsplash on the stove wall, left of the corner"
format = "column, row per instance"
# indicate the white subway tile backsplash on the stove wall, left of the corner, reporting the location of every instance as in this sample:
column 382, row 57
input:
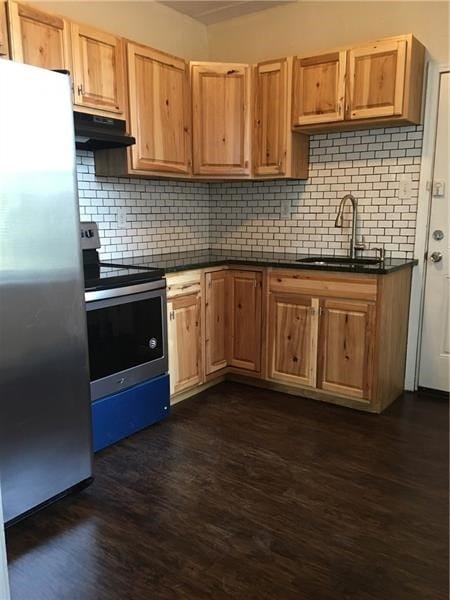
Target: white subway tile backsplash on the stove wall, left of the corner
column 162, row 216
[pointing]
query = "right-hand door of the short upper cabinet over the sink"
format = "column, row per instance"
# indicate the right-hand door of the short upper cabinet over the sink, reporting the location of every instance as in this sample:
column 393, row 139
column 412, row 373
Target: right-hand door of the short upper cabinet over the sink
column 376, row 80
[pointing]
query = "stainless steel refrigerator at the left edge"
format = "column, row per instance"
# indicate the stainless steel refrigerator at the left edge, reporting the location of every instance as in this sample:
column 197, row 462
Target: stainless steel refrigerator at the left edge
column 45, row 427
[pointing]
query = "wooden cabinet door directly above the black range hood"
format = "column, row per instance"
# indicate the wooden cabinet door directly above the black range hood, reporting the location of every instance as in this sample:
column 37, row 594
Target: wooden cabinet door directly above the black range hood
column 98, row 70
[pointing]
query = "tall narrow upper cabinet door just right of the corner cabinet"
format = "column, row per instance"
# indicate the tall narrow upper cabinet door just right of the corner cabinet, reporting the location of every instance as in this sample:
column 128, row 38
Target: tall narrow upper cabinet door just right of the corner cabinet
column 270, row 130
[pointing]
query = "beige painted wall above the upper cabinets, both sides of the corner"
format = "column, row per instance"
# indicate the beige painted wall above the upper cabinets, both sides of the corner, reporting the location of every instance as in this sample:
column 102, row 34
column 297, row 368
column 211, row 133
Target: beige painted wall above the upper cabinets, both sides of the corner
column 302, row 26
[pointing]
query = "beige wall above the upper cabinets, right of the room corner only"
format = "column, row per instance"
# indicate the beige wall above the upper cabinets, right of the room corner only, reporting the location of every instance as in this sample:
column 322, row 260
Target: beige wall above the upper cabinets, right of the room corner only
column 305, row 26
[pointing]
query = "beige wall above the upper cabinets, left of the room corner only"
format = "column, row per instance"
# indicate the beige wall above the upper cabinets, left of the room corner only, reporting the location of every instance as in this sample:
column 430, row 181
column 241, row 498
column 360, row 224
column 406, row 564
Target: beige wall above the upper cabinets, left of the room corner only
column 150, row 23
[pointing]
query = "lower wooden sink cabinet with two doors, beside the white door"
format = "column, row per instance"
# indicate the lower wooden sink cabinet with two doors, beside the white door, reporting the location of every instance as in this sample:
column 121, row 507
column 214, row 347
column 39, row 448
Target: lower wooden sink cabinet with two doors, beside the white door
column 339, row 337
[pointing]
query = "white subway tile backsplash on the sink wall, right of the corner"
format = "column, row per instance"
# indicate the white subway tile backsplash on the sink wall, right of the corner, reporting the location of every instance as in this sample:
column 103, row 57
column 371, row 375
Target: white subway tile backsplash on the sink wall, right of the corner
column 365, row 163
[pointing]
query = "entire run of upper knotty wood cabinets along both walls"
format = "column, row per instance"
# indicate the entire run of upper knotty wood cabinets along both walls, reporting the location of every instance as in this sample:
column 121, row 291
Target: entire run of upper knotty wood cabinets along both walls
column 219, row 120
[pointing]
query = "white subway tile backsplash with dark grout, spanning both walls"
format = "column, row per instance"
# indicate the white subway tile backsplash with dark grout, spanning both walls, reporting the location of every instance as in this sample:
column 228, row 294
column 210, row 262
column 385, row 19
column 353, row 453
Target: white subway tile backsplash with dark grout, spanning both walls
column 168, row 216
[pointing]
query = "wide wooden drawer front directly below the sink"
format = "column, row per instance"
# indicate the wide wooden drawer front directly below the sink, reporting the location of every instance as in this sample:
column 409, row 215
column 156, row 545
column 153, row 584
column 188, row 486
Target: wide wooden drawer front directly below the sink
column 331, row 285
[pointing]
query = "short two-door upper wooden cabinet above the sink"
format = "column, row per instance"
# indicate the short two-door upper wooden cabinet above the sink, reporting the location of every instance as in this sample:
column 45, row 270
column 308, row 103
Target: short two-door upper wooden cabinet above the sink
column 374, row 85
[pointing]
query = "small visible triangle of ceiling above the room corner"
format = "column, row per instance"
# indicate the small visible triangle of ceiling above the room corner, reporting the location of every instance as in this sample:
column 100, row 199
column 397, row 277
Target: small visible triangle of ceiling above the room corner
column 214, row 11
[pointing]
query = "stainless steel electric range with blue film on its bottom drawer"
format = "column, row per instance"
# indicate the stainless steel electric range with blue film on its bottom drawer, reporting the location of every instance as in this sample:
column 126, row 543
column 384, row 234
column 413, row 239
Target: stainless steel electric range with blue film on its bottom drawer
column 127, row 339
